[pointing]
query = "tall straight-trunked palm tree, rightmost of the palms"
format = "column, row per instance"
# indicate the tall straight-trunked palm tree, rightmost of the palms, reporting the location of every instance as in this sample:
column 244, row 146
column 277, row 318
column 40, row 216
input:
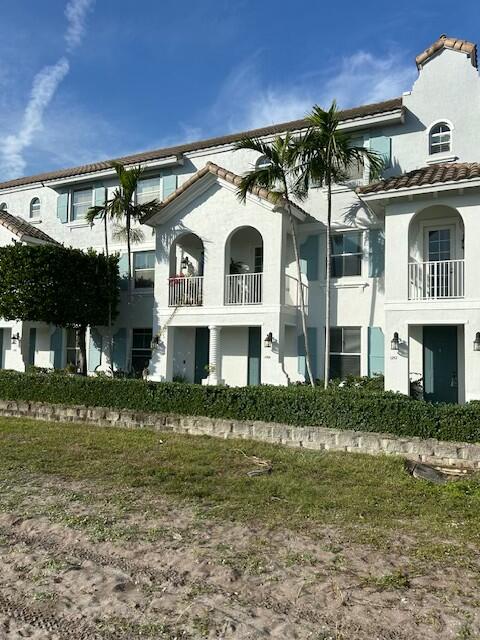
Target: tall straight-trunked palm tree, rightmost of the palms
column 329, row 153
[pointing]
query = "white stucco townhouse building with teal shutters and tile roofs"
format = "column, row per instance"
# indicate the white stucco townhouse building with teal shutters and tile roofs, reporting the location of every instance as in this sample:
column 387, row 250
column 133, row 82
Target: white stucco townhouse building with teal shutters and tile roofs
column 214, row 277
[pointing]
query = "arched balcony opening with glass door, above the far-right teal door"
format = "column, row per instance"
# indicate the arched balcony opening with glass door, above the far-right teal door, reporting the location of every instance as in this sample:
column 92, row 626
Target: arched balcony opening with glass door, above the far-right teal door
column 436, row 254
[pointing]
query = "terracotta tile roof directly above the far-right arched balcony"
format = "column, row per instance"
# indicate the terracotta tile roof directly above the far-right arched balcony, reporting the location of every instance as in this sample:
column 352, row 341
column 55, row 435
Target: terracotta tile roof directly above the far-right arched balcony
column 437, row 173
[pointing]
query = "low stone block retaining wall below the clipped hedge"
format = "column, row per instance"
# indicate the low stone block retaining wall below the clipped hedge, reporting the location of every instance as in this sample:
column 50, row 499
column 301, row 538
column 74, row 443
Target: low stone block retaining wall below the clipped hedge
column 445, row 454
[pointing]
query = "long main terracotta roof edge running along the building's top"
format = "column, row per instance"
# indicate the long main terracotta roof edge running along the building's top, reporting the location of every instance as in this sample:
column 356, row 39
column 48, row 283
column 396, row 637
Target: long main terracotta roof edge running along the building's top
column 348, row 114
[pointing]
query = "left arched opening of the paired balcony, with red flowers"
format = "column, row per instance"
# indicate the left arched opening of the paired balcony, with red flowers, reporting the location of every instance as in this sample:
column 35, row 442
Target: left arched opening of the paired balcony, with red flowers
column 185, row 283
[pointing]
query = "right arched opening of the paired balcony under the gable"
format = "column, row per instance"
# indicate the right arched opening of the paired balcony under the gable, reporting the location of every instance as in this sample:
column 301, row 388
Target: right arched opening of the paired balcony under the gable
column 244, row 267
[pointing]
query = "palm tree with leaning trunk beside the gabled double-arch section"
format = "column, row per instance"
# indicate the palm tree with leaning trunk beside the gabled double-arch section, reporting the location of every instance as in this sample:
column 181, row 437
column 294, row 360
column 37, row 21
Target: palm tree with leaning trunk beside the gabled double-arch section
column 279, row 174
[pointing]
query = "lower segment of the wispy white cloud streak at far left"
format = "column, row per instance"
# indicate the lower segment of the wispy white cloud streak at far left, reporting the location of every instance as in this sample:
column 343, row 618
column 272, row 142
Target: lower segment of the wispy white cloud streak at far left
column 44, row 86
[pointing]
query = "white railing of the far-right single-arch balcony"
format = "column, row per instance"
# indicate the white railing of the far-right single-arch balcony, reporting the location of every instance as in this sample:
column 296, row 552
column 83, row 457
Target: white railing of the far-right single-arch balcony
column 436, row 280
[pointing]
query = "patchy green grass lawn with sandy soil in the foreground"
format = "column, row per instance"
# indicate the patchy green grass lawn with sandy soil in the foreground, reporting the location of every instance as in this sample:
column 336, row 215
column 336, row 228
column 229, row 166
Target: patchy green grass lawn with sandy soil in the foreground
column 132, row 487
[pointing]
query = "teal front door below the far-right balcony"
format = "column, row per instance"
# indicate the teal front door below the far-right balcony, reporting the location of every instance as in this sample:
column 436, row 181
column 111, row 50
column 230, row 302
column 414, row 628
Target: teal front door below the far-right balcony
column 440, row 364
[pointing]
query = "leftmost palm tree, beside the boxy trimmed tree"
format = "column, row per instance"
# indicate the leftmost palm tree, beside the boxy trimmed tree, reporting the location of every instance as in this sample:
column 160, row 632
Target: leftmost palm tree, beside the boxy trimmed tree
column 122, row 206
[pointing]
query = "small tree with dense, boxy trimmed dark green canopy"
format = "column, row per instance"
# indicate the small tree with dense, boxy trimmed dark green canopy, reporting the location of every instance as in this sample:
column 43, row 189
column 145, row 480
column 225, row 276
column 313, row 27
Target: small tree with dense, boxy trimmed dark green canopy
column 60, row 286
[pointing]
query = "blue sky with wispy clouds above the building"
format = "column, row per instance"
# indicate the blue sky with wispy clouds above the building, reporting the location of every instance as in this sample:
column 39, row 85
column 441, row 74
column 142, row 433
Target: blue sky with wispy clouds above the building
column 84, row 80
